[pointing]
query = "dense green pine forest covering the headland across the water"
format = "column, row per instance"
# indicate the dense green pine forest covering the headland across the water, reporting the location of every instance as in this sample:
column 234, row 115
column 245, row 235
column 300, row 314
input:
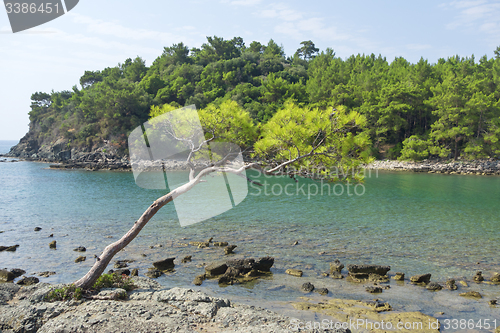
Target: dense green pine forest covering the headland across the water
column 450, row 109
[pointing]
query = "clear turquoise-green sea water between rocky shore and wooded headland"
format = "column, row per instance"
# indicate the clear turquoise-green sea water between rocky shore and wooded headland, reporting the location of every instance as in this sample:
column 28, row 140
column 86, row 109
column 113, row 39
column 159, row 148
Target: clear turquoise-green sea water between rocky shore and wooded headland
column 447, row 225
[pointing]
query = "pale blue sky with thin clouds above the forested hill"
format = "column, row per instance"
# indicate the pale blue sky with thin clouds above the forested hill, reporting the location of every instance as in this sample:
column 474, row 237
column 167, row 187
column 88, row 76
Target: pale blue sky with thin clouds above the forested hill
column 98, row 34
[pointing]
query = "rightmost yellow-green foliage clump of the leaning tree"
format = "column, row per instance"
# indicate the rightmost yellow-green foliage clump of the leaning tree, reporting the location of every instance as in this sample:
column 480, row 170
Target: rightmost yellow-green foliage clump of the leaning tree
column 332, row 139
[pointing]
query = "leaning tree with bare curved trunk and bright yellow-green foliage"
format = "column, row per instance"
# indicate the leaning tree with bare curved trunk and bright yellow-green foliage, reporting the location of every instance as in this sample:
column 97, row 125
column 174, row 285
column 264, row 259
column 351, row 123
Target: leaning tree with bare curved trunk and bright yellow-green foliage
column 297, row 142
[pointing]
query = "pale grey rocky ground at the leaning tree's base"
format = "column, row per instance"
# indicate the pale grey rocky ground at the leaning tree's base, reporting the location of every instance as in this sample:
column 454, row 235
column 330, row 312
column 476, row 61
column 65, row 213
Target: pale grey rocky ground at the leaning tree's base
column 149, row 308
